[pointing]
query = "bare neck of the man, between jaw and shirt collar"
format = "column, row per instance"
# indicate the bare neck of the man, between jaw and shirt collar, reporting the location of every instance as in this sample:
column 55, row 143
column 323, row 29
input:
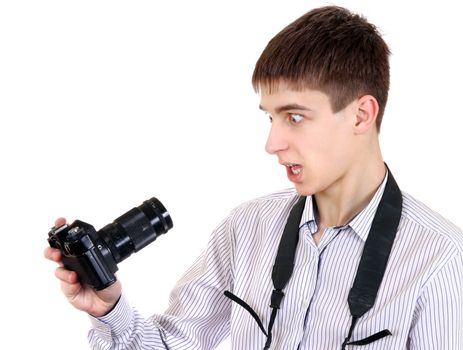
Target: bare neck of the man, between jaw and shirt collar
column 338, row 204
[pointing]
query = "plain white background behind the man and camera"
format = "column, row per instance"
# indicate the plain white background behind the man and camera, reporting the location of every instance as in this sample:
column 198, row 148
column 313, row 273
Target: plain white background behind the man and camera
column 104, row 104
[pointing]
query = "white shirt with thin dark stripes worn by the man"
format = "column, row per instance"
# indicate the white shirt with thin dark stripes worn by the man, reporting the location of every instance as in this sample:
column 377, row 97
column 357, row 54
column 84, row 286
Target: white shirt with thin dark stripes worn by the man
column 420, row 299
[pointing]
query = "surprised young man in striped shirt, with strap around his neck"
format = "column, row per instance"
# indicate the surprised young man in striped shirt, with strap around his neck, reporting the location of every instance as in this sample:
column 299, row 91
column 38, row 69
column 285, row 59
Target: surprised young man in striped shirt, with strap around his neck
column 324, row 82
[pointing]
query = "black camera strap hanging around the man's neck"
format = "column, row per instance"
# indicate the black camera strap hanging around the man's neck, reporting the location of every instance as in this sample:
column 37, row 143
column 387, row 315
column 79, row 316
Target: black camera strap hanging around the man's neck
column 370, row 271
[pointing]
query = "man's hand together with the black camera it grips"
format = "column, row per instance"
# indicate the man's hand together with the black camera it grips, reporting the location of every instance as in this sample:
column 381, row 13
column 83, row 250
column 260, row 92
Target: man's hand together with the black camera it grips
column 89, row 258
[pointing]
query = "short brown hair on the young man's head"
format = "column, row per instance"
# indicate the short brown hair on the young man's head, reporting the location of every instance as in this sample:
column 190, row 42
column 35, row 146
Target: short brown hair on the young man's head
column 328, row 49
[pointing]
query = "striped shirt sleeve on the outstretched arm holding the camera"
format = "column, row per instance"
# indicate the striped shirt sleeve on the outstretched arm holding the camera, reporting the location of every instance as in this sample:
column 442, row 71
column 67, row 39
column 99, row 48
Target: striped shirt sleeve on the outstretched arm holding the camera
column 198, row 316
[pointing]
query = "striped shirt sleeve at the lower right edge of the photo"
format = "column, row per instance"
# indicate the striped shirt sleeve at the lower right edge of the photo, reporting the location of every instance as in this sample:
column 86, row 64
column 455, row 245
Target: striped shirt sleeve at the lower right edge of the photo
column 438, row 321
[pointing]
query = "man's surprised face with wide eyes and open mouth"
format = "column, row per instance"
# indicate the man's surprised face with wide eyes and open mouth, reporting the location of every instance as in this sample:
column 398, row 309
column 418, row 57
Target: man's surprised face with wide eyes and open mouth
column 315, row 145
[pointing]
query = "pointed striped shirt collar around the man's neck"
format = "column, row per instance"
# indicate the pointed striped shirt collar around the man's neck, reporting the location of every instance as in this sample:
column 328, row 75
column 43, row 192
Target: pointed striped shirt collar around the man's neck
column 361, row 223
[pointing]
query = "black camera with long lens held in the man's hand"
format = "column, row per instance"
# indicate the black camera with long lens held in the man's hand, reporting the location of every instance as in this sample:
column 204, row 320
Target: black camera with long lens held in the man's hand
column 94, row 255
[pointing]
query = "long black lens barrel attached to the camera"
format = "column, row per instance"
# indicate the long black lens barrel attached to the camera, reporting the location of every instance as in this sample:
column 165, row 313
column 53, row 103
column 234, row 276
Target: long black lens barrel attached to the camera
column 135, row 229
